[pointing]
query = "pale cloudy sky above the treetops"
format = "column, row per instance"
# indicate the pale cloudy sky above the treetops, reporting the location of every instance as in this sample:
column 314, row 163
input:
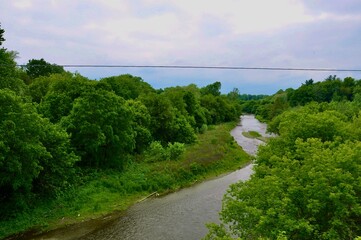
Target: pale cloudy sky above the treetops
column 240, row 33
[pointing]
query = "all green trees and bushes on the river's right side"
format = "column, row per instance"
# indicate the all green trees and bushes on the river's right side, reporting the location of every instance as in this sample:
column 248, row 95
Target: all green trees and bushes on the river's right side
column 307, row 180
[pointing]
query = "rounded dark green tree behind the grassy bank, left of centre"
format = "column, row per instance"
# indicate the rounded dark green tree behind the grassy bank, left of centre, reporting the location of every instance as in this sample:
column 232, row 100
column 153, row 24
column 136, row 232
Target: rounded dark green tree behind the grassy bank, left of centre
column 100, row 124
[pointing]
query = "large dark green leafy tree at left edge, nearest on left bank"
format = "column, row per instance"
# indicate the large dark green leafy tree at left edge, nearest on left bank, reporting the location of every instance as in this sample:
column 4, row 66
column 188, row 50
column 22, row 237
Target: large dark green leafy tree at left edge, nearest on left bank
column 31, row 150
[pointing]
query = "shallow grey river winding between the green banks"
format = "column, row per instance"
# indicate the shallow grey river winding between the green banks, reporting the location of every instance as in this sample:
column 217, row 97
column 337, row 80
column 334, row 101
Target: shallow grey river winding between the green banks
column 183, row 214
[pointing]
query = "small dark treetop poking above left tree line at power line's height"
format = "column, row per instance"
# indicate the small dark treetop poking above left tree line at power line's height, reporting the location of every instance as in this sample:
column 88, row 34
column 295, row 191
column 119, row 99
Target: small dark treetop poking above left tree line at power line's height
column 39, row 67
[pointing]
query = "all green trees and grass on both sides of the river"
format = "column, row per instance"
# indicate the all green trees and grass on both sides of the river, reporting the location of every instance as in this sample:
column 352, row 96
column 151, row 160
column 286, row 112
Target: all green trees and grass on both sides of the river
column 73, row 148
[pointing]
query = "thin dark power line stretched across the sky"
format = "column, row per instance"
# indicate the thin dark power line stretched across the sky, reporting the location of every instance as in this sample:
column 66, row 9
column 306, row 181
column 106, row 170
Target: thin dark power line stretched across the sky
column 204, row 67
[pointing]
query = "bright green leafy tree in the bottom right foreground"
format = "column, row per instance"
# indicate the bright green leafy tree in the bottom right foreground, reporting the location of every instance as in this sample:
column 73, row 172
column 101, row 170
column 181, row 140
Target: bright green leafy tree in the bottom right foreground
column 311, row 192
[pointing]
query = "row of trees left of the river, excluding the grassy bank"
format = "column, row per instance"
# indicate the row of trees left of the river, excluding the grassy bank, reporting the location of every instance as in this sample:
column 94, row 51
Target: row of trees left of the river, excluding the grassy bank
column 56, row 124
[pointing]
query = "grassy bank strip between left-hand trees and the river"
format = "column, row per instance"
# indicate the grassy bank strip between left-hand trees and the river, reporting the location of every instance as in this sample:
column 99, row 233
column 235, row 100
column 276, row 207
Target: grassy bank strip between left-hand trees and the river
column 105, row 191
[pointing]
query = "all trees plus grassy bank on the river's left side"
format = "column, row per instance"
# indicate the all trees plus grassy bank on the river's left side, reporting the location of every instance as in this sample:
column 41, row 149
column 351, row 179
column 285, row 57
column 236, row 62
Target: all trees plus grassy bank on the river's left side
column 71, row 147
